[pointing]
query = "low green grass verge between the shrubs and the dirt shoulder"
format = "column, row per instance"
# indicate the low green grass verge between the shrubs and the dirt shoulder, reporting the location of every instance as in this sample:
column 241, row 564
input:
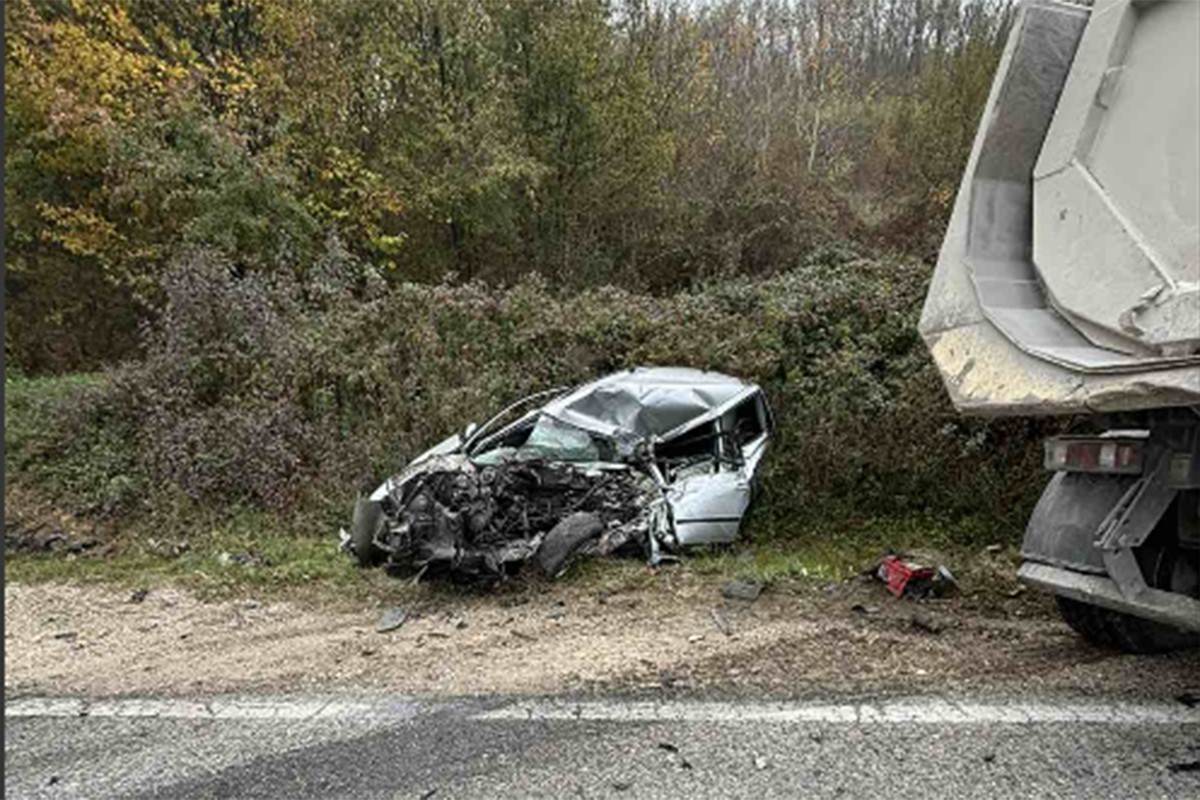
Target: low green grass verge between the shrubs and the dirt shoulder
column 203, row 558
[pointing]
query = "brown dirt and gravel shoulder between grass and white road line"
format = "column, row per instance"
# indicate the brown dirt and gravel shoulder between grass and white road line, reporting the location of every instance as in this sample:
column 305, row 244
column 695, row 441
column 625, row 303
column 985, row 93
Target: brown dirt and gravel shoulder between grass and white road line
column 668, row 636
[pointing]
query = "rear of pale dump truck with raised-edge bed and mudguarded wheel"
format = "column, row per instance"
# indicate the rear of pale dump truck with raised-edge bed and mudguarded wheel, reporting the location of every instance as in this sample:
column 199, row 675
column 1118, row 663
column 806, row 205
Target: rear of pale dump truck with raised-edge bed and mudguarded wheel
column 1069, row 284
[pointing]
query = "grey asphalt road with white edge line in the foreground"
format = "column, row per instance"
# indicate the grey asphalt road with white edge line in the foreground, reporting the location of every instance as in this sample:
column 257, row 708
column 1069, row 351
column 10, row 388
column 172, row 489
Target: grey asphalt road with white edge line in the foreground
column 397, row 748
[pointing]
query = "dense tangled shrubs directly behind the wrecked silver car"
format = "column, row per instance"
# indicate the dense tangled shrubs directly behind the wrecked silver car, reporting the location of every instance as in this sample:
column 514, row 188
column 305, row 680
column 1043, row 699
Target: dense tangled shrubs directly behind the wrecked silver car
column 291, row 394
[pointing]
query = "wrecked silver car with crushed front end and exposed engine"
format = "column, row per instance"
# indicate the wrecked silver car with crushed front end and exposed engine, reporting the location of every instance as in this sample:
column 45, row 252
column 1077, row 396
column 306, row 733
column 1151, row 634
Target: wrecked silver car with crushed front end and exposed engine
column 651, row 459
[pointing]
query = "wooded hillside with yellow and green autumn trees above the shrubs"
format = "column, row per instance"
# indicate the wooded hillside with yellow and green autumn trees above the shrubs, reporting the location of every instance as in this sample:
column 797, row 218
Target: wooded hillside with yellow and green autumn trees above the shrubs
column 652, row 146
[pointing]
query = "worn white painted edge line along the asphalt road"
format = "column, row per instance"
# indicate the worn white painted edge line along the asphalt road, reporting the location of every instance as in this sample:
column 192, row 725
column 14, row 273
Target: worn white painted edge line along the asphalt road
column 923, row 711
